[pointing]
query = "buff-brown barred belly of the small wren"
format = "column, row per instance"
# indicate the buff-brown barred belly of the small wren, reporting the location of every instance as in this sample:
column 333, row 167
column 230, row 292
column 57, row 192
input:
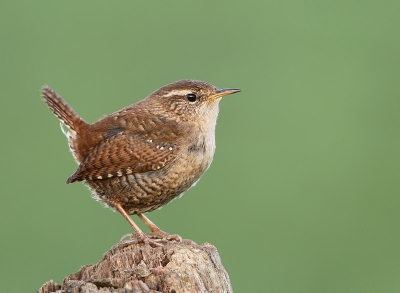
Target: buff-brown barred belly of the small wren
column 145, row 192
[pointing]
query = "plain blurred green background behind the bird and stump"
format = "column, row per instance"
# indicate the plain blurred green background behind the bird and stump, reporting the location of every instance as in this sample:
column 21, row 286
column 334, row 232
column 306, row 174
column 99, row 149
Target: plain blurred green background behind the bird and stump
column 303, row 192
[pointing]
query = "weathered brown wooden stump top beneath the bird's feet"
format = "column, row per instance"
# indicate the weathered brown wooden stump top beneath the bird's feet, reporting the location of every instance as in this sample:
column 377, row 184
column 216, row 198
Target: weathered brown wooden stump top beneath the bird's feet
column 138, row 268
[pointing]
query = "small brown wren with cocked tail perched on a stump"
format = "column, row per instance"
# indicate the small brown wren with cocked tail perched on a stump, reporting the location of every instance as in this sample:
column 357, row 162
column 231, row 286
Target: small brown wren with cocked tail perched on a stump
column 138, row 159
